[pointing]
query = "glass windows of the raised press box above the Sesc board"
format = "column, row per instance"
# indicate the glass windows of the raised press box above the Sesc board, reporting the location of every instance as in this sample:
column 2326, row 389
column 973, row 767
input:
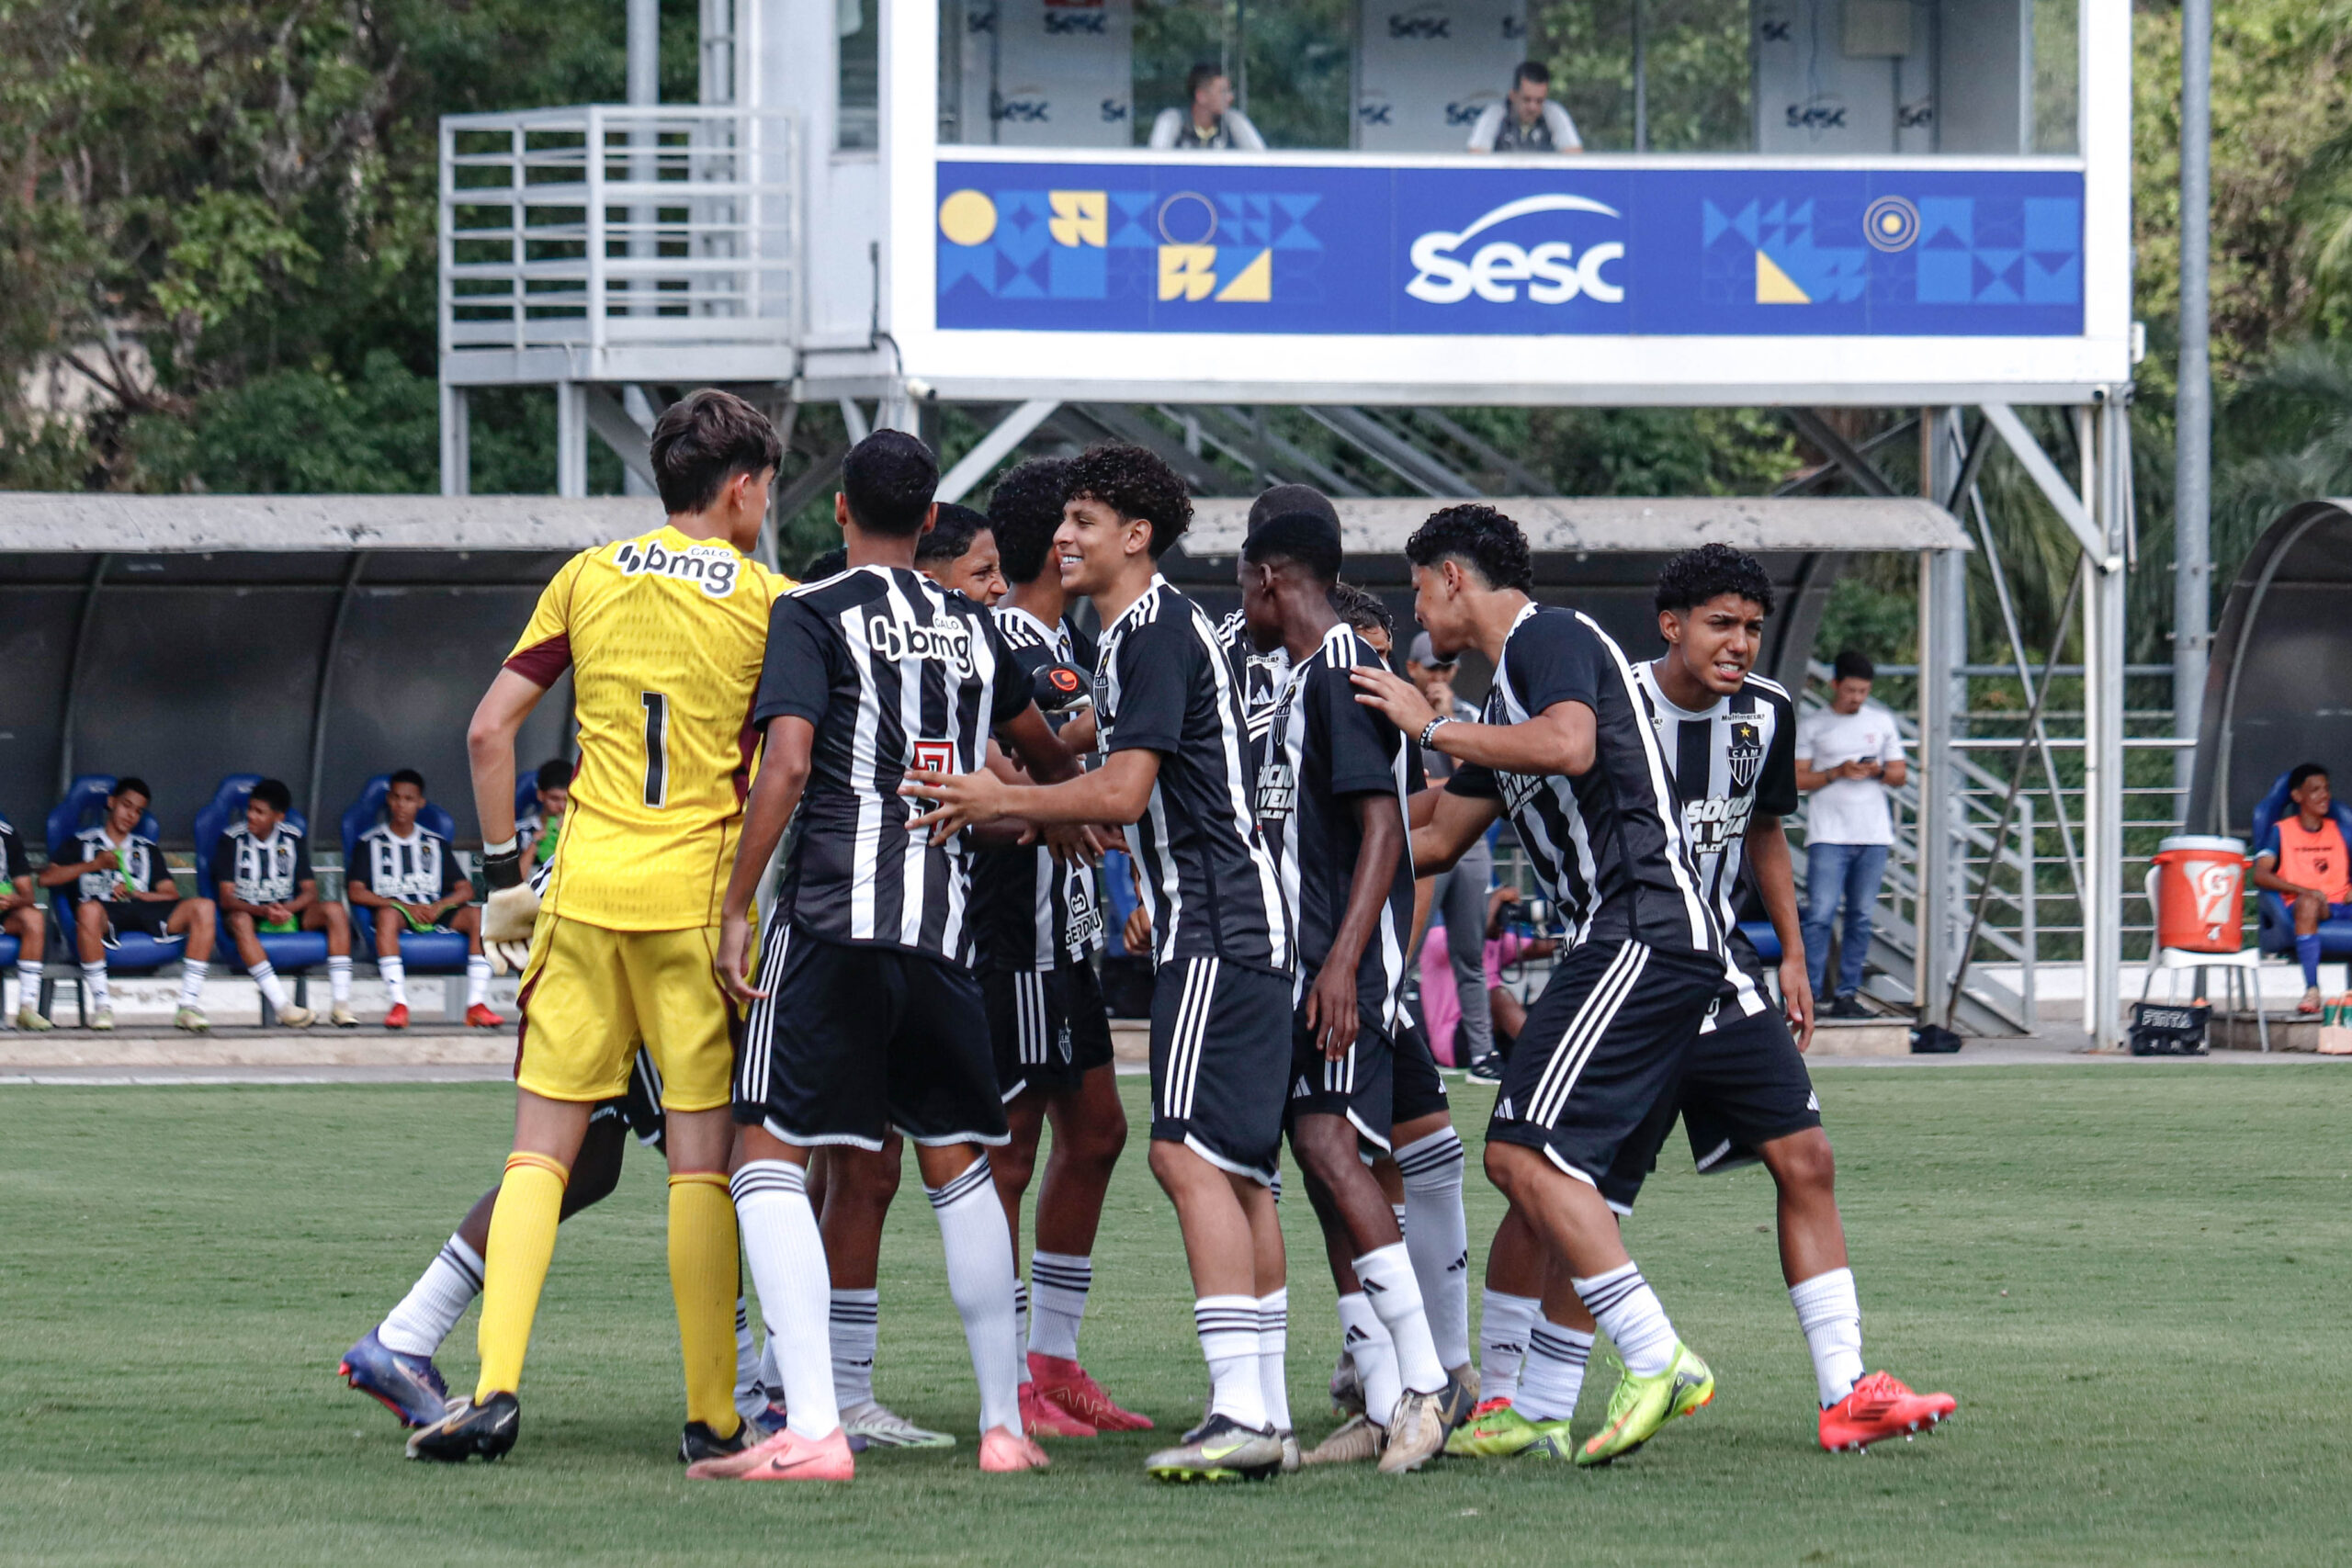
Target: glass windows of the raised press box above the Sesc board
column 1401, row 76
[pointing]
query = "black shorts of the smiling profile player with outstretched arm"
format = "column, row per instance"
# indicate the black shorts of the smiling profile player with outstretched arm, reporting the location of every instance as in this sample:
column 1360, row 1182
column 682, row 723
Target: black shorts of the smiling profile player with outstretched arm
column 1222, row 1054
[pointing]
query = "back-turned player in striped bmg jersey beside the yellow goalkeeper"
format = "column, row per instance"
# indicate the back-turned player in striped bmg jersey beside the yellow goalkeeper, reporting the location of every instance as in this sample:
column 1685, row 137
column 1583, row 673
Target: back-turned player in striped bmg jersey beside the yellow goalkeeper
column 867, row 1017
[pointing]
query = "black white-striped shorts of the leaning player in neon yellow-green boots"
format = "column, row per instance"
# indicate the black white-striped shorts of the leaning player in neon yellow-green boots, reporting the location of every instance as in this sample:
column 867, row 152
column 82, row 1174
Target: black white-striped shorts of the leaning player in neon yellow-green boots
column 1601, row 1050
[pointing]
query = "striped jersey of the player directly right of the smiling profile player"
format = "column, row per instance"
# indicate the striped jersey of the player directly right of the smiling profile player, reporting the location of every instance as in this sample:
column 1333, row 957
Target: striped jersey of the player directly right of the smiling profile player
column 1321, row 753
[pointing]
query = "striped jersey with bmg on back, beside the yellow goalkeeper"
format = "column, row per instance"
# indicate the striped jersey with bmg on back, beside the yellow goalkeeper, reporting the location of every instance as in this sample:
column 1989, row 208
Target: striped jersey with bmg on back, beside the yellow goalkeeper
column 895, row 674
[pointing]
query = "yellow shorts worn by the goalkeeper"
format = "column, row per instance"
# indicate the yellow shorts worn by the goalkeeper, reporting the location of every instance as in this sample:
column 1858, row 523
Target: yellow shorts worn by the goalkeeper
column 589, row 996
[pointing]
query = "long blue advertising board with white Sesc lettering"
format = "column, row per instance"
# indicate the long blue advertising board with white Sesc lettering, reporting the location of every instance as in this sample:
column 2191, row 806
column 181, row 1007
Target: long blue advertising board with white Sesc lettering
column 1514, row 253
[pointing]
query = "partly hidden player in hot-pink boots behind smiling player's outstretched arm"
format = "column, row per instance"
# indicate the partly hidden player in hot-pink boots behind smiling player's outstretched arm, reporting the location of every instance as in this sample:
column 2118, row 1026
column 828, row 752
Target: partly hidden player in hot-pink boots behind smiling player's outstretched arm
column 1038, row 927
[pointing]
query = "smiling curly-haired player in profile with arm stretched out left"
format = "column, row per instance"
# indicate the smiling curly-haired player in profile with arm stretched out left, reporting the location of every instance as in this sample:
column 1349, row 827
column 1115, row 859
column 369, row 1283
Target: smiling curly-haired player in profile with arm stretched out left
column 1175, row 768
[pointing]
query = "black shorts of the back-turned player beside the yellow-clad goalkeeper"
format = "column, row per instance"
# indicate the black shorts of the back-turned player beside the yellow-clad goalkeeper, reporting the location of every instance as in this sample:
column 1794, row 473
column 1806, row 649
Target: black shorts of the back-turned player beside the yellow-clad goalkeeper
column 857, row 1040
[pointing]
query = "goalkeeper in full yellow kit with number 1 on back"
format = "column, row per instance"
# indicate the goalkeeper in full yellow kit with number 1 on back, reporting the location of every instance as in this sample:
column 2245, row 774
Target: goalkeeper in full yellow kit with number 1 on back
column 662, row 636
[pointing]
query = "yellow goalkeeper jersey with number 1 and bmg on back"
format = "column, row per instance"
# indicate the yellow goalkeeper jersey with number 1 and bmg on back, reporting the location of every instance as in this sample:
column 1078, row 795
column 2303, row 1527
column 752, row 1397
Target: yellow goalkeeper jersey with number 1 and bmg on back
column 664, row 641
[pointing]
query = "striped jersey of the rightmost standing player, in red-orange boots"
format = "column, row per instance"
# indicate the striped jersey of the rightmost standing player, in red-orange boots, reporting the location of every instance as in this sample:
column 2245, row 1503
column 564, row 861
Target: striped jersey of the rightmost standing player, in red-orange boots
column 1730, row 763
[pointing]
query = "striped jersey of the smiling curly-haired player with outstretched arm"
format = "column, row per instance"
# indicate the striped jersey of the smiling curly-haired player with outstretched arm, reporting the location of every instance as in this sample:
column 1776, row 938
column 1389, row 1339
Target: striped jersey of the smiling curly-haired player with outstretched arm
column 1163, row 683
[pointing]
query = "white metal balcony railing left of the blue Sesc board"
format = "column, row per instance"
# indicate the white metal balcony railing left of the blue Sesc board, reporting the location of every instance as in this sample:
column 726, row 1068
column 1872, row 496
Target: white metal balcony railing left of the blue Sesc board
column 608, row 225
